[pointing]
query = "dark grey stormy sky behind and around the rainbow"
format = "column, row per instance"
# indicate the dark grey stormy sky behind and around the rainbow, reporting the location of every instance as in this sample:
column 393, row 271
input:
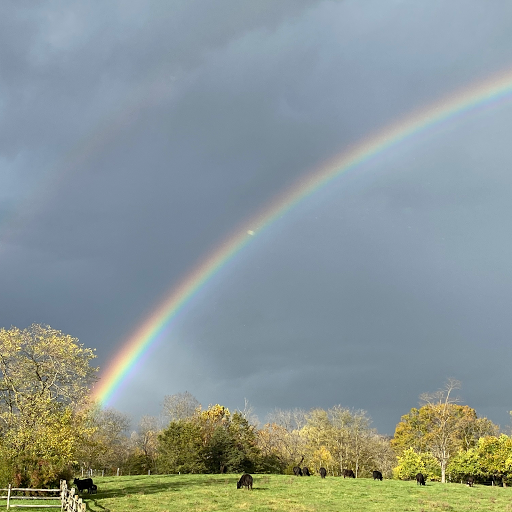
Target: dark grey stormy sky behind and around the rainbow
column 137, row 137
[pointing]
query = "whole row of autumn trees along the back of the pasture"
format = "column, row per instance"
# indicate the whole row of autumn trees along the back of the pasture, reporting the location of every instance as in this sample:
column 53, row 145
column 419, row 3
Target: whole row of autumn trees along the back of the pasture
column 50, row 429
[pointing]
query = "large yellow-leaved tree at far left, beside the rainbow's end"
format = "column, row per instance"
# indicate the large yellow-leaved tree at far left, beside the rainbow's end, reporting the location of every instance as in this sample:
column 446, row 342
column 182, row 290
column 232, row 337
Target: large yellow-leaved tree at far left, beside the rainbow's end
column 45, row 378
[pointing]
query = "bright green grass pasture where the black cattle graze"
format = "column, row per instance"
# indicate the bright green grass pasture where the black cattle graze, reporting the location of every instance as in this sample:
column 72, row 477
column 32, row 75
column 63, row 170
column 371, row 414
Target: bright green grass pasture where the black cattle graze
column 204, row 493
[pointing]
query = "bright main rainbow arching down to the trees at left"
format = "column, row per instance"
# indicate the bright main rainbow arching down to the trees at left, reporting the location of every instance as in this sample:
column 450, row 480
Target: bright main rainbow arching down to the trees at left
column 476, row 97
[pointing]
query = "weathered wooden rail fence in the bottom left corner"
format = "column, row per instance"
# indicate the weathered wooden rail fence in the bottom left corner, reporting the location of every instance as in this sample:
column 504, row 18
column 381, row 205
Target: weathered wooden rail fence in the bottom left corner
column 68, row 500
